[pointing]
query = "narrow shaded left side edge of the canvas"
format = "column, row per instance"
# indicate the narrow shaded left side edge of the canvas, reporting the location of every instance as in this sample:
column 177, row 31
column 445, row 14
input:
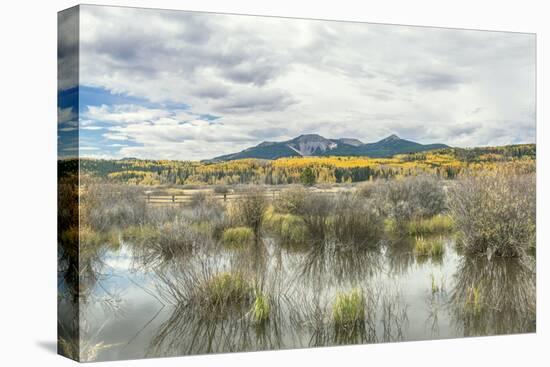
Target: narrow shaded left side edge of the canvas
column 68, row 335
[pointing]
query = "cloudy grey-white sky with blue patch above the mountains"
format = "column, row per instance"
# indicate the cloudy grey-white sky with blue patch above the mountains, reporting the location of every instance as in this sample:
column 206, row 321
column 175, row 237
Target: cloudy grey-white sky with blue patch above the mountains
column 164, row 84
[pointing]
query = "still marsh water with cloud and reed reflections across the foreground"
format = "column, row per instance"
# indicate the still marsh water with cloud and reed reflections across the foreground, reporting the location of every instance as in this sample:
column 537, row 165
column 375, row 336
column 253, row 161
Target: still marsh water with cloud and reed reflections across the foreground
column 133, row 310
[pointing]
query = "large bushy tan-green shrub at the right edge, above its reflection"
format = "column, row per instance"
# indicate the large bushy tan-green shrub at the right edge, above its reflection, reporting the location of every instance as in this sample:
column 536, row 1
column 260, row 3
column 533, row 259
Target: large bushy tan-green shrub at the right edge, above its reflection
column 494, row 213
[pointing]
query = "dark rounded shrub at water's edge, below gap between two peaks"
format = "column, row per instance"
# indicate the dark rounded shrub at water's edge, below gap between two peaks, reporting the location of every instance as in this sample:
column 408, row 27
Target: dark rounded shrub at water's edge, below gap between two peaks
column 356, row 221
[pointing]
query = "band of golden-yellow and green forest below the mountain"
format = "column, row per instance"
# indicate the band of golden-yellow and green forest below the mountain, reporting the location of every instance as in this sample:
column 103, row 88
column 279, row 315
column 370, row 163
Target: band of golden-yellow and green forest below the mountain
column 448, row 163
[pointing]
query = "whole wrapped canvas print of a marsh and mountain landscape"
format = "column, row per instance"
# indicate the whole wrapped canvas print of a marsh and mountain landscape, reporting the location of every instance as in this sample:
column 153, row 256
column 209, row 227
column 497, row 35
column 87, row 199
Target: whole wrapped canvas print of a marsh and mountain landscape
column 232, row 183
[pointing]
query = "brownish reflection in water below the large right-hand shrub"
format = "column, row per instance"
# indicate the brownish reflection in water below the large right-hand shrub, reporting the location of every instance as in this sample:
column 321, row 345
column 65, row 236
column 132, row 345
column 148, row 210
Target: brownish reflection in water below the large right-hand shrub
column 494, row 297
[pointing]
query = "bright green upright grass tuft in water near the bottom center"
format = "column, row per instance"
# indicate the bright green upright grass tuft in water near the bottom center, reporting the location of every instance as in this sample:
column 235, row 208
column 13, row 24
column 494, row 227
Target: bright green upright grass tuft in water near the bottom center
column 349, row 308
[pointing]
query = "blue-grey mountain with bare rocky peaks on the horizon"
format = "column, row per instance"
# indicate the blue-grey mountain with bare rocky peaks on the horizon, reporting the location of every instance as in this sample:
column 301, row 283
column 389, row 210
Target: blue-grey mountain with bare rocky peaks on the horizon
column 316, row 145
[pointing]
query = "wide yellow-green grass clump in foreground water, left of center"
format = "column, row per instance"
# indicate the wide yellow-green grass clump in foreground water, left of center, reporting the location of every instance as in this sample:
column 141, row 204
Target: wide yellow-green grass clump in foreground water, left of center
column 226, row 288
